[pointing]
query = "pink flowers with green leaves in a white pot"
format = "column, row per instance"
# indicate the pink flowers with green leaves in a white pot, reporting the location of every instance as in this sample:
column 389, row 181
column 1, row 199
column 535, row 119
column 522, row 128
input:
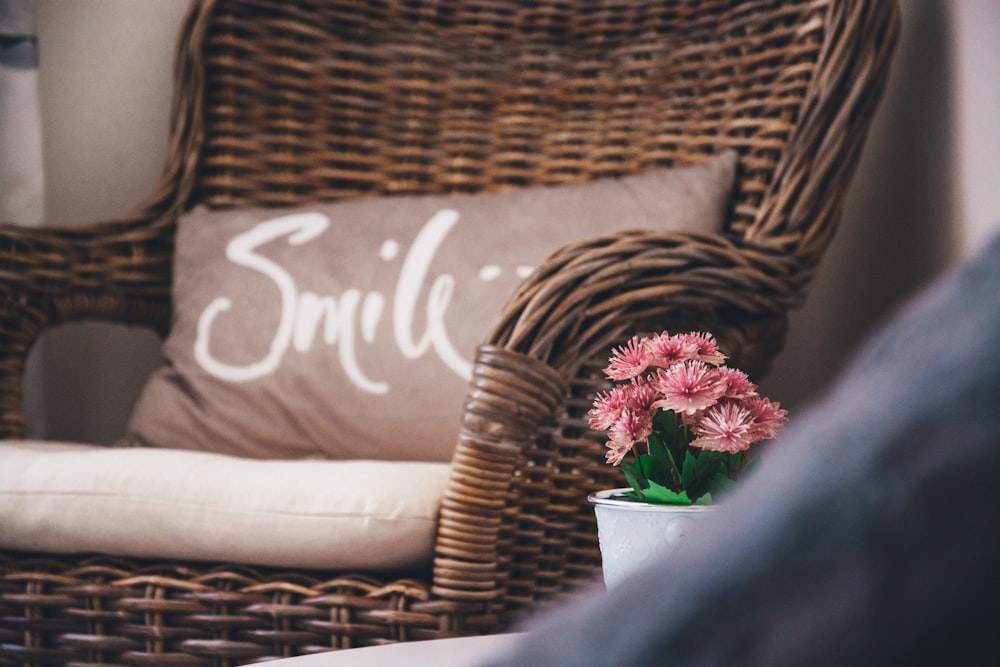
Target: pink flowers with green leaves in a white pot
column 682, row 427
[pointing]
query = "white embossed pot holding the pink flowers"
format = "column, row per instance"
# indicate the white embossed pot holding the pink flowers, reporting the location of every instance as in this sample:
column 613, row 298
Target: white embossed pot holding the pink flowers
column 633, row 534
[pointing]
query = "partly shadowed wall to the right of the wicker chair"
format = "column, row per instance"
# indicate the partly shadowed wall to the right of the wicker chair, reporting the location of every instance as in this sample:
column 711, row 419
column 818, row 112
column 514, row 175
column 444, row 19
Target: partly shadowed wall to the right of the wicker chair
column 925, row 195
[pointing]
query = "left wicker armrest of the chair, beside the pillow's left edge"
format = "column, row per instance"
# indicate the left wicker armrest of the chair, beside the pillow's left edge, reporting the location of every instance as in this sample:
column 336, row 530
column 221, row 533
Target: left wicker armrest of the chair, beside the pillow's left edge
column 117, row 271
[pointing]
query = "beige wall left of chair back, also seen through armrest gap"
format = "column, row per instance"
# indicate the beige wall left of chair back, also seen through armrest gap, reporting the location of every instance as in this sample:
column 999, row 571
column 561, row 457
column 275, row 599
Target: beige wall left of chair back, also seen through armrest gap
column 105, row 80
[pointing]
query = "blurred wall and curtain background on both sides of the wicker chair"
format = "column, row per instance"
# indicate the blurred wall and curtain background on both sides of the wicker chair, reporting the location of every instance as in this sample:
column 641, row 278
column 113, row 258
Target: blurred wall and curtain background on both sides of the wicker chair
column 85, row 90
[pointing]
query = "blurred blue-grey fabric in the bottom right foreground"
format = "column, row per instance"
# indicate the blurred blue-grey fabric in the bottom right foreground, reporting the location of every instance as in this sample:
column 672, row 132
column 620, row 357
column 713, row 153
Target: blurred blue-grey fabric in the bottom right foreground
column 868, row 535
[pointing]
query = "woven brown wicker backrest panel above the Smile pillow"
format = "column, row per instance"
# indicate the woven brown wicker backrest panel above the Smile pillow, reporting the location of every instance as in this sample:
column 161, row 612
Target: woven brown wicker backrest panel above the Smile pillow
column 486, row 95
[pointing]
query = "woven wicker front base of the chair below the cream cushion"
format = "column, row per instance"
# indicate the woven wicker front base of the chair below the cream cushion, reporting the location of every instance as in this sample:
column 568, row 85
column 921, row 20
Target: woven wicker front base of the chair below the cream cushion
column 136, row 612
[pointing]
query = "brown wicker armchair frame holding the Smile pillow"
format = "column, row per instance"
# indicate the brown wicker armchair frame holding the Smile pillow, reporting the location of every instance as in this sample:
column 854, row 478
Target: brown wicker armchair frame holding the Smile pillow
column 599, row 89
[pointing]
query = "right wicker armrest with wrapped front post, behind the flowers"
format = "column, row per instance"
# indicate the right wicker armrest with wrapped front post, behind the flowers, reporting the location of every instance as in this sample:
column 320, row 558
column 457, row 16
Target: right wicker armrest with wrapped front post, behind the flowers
column 512, row 475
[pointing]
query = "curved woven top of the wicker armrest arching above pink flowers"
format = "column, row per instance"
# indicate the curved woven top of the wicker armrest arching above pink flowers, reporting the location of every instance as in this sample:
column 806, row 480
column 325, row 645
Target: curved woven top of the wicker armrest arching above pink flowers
column 595, row 291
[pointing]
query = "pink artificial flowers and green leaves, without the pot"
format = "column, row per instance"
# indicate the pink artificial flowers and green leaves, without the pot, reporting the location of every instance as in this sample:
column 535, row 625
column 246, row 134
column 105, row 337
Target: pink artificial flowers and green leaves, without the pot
column 688, row 421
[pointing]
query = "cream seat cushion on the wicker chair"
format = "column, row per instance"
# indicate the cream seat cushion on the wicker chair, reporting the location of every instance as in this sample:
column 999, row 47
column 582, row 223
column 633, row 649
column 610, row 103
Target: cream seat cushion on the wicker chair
column 187, row 505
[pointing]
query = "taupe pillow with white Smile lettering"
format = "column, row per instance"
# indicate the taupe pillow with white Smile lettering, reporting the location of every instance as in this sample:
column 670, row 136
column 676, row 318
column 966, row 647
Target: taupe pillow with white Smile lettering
column 347, row 330
